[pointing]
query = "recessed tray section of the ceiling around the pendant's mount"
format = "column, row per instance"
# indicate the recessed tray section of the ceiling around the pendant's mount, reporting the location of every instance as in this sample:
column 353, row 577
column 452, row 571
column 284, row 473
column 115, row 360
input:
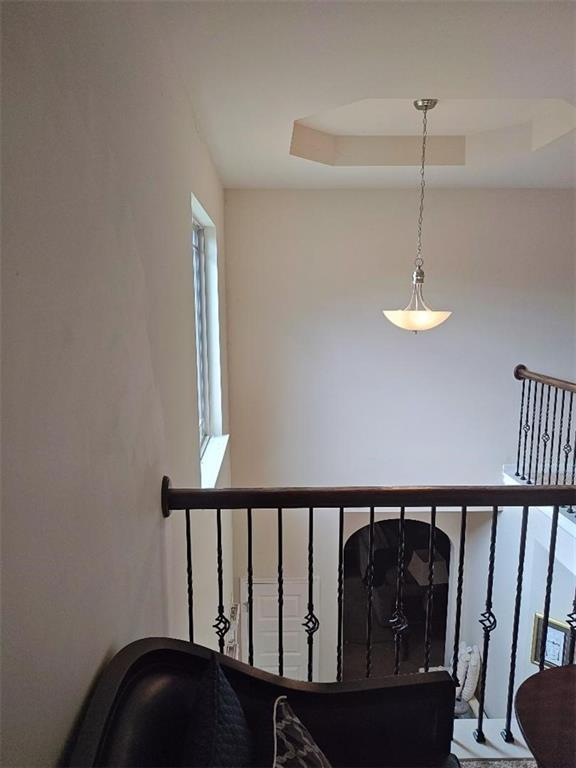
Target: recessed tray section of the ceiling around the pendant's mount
column 476, row 133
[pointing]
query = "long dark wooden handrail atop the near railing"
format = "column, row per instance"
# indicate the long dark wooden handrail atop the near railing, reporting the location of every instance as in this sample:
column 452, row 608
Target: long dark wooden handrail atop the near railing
column 303, row 498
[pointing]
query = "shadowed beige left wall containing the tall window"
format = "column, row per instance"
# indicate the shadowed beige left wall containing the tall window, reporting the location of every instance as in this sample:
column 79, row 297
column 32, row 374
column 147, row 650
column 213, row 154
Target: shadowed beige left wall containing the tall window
column 100, row 156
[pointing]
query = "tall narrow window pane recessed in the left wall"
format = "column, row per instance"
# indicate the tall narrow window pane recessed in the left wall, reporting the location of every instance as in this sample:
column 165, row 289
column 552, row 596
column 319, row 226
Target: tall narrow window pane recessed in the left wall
column 202, row 362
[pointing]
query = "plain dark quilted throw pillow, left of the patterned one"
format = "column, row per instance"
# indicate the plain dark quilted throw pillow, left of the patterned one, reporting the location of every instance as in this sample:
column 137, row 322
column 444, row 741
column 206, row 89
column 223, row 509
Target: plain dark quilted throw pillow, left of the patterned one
column 220, row 736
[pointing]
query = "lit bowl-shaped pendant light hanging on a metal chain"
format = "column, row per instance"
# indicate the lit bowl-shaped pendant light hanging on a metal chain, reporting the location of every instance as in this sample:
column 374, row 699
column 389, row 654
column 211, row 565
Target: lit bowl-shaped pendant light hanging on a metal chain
column 417, row 316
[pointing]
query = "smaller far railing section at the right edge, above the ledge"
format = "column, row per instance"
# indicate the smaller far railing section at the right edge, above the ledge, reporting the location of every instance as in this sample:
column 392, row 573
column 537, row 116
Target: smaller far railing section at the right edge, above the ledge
column 546, row 449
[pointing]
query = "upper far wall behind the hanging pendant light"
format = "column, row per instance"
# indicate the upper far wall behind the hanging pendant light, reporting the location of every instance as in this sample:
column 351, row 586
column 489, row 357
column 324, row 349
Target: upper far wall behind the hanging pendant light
column 326, row 391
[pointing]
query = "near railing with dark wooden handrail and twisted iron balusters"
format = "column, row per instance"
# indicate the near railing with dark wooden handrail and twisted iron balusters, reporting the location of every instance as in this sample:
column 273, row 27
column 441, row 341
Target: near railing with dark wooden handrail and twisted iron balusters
column 464, row 500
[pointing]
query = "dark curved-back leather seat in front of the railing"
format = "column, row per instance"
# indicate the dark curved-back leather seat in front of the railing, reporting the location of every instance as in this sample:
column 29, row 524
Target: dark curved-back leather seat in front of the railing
column 142, row 709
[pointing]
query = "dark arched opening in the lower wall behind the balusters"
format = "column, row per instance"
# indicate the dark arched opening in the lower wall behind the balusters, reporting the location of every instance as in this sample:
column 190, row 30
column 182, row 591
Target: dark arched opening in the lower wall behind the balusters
column 384, row 600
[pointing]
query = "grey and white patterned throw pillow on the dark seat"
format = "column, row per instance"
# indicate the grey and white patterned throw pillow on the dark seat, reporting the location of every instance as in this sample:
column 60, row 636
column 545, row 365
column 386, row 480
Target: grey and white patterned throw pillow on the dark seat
column 293, row 745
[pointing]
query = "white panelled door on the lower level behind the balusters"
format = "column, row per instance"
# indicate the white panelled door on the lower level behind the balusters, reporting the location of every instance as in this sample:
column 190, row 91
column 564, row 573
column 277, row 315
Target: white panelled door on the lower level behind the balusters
column 266, row 627
